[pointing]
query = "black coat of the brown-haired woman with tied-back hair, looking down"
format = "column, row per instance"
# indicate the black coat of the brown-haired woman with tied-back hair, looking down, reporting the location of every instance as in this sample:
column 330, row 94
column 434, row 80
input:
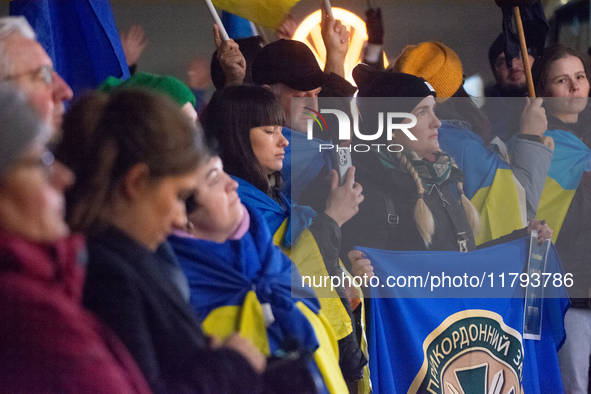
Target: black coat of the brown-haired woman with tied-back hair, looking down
column 128, row 290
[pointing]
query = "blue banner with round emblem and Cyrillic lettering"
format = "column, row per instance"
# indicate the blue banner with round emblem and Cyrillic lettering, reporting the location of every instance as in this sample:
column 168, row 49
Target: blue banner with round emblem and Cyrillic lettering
column 462, row 345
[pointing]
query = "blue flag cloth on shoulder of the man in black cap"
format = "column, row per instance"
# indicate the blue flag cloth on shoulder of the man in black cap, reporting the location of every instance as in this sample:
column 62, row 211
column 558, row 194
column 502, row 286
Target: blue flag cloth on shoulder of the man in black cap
column 303, row 163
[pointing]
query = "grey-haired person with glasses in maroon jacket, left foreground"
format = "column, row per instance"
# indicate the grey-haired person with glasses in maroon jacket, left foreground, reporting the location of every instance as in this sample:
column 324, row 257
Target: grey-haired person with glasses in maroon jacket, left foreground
column 48, row 342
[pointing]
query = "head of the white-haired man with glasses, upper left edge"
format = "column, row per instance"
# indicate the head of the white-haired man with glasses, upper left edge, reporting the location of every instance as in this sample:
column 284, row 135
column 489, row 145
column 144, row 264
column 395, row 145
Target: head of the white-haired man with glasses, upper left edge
column 24, row 62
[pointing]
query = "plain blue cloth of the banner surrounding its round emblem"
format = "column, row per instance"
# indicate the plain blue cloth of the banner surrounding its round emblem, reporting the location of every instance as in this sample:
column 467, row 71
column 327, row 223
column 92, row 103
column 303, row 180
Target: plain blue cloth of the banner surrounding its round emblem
column 400, row 328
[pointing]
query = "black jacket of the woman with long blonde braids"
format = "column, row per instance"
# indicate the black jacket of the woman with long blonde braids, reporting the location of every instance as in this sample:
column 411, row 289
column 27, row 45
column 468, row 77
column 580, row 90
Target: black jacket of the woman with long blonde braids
column 370, row 227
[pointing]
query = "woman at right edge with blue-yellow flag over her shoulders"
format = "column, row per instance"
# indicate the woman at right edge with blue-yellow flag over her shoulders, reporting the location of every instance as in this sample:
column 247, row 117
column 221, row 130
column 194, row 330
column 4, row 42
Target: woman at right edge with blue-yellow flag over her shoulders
column 562, row 76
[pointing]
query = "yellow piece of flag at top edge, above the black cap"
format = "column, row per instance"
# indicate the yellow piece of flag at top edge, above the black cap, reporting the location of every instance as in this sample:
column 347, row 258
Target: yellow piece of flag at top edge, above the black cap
column 265, row 13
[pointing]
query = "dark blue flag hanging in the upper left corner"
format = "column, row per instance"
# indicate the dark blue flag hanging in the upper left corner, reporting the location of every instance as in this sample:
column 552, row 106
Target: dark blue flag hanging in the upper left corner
column 80, row 36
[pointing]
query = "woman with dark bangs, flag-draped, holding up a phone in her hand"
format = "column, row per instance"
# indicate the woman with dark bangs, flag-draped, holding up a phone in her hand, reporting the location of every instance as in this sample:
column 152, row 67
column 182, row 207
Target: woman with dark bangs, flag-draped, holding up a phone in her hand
column 247, row 121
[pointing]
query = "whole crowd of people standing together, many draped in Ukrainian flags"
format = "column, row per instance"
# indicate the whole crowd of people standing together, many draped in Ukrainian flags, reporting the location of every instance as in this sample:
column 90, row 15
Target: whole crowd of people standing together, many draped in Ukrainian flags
column 150, row 242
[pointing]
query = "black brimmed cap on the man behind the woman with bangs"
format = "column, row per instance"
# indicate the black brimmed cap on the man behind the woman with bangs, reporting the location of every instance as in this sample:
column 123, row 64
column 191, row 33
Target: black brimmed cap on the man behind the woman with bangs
column 288, row 62
